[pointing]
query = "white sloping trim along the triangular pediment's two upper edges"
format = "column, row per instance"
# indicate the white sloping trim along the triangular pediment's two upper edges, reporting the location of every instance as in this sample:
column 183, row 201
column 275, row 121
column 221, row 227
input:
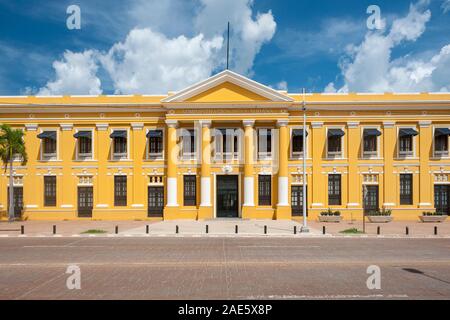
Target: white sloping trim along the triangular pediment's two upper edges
column 227, row 76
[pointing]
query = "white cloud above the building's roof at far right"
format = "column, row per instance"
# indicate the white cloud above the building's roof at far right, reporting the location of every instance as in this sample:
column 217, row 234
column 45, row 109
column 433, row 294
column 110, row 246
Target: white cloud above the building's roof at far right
column 369, row 67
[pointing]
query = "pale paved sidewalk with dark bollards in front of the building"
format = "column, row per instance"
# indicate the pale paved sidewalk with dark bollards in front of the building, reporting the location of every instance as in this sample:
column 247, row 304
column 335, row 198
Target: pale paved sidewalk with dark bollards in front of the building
column 219, row 227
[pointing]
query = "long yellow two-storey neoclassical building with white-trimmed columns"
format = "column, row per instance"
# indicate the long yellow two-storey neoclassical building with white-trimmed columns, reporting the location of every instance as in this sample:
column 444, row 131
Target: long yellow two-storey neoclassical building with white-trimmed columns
column 228, row 147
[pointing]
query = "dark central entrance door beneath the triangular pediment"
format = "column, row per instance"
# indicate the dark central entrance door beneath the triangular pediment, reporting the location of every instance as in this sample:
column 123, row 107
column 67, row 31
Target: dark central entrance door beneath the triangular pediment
column 227, row 197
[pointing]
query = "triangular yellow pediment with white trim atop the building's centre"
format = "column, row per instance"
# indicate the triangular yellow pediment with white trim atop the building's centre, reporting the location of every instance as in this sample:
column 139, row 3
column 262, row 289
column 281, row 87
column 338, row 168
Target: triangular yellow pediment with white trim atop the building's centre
column 227, row 86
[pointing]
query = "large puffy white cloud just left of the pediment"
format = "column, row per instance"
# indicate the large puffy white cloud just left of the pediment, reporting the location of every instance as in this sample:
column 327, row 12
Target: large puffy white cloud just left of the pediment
column 149, row 62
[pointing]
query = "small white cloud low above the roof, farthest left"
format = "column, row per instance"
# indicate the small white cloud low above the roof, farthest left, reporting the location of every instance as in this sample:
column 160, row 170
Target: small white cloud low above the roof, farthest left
column 75, row 74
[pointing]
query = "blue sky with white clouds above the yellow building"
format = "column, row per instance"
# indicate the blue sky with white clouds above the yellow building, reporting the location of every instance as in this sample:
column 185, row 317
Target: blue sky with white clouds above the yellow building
column 153, row 46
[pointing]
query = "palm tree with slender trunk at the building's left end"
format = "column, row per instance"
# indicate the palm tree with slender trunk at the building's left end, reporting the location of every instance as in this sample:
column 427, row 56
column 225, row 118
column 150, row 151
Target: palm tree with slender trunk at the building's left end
column 11, row 144
